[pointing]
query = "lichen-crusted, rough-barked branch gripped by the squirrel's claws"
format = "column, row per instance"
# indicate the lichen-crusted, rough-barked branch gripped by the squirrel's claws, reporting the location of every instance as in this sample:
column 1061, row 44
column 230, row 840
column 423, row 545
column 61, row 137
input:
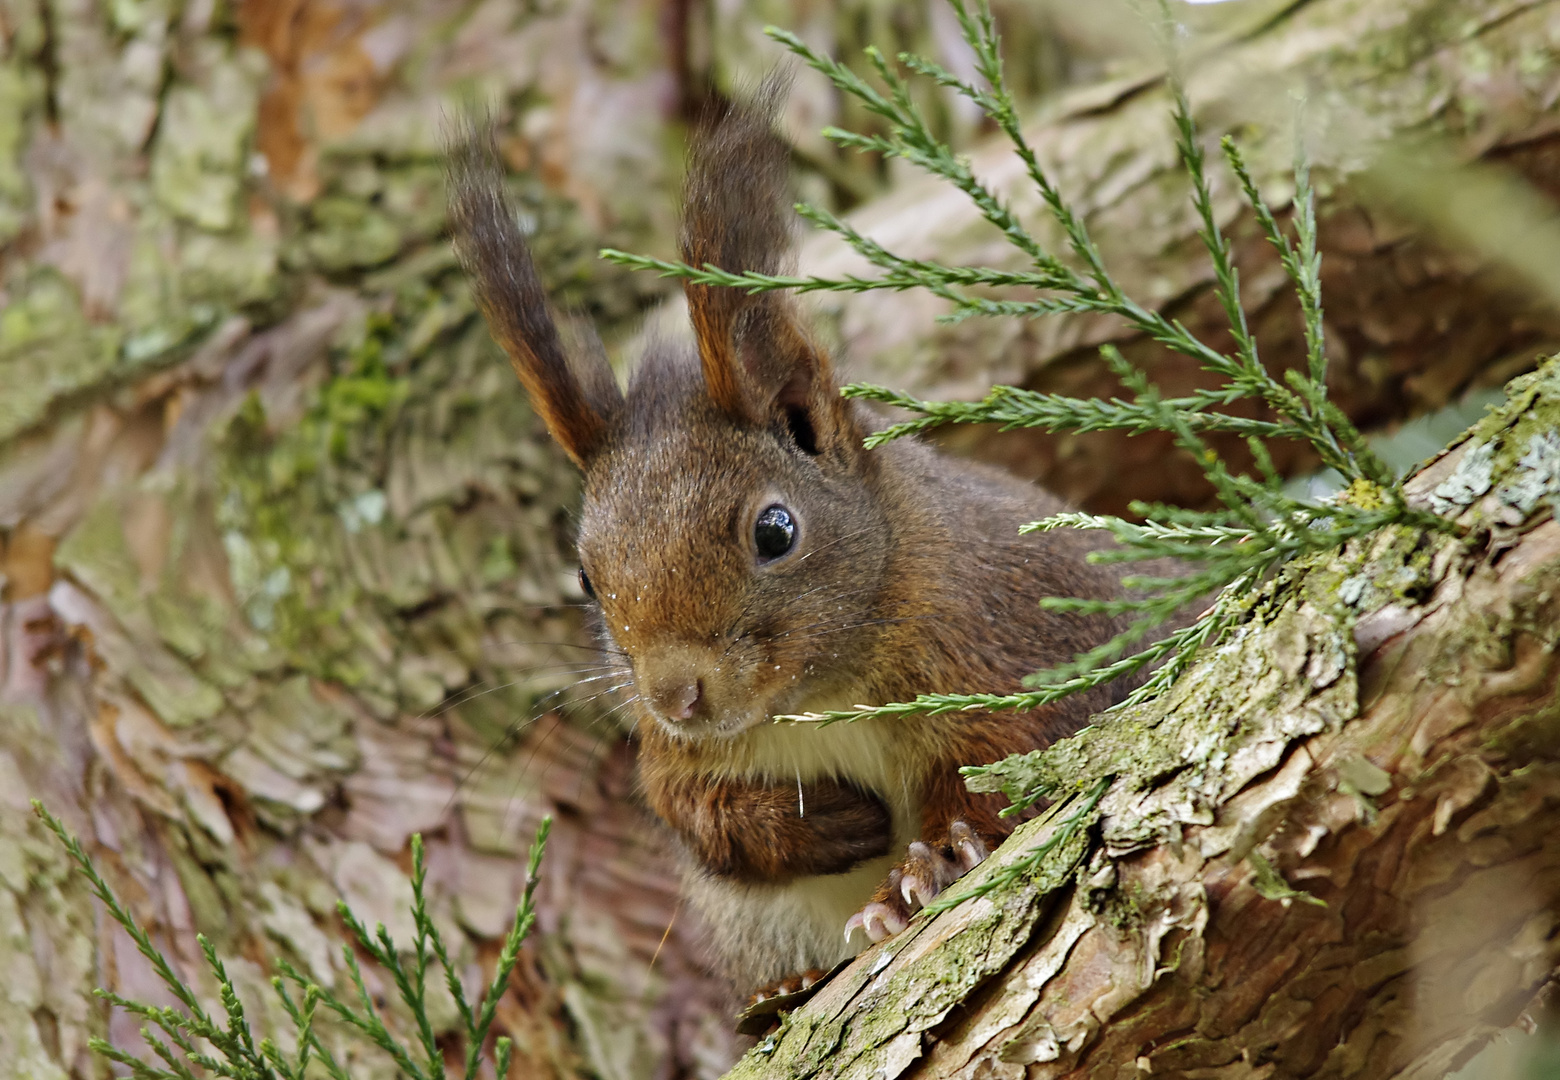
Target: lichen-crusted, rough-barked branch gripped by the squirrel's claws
column 1328, row 853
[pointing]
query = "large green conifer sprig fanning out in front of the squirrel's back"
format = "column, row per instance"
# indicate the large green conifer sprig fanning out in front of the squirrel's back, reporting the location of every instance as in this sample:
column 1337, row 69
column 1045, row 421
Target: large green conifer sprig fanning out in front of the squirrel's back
column 1258, row 525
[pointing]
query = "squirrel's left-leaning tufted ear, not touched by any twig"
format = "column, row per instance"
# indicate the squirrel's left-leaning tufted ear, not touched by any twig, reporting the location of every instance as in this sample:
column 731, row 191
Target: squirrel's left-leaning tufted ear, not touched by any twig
column 576, row 400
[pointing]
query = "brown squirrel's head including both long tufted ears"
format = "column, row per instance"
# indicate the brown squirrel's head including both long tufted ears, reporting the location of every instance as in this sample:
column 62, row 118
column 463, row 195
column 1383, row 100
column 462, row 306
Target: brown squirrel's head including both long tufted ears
column 734, row 528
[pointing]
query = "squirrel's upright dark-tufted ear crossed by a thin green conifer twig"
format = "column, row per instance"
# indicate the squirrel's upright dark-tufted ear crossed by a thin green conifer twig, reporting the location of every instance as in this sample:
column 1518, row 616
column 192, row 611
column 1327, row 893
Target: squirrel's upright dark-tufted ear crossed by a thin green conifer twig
column 754, row 350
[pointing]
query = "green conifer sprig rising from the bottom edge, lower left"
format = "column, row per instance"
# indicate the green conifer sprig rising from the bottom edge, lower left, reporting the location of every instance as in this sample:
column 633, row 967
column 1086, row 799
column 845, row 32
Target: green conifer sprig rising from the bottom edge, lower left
column 175, row 1036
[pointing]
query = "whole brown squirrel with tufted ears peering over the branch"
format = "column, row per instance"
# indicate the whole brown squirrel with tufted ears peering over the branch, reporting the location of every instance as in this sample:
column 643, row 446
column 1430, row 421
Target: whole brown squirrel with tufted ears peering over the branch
column 751, row 560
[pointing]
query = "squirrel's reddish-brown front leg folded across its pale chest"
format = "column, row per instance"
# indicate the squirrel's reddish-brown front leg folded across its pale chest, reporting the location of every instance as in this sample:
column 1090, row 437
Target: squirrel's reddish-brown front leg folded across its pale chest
column 756, row 831
